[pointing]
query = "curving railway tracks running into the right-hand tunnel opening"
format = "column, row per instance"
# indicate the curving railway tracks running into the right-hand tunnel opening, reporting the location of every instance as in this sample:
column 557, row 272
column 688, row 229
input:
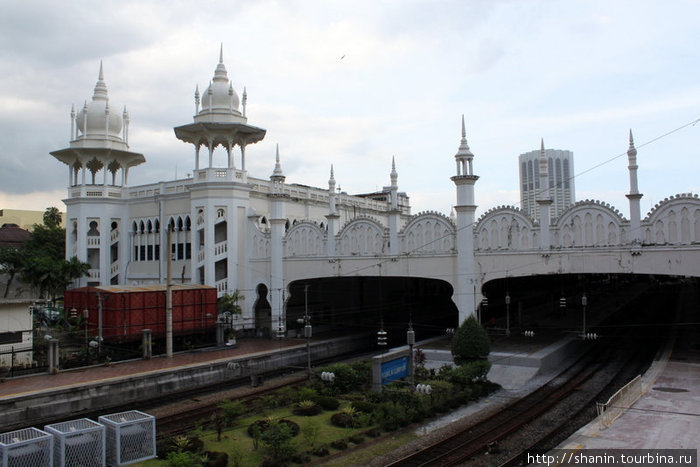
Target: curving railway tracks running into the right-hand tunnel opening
column 536, row 421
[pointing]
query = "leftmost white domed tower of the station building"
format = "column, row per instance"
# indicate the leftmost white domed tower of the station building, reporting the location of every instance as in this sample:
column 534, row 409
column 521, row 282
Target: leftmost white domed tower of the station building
column 98, row 161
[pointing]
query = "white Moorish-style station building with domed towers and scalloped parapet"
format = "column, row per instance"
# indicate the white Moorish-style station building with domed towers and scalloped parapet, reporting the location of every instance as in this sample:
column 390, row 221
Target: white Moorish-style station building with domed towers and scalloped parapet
column 235, row 231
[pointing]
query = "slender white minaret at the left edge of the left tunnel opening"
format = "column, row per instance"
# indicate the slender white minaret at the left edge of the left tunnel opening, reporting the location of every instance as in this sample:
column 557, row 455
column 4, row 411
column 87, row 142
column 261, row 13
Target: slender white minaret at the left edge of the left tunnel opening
column 277, row 230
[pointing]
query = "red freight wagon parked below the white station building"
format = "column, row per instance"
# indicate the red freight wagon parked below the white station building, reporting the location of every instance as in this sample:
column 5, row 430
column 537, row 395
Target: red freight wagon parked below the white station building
column 126, row 310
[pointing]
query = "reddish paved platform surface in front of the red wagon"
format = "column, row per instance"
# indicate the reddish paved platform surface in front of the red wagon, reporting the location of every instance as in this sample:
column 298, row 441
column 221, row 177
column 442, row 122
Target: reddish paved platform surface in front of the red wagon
column 43, row 382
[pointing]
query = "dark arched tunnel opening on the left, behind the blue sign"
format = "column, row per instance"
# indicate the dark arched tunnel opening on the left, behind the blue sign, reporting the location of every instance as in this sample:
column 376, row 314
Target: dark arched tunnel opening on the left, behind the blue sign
column 368, row 302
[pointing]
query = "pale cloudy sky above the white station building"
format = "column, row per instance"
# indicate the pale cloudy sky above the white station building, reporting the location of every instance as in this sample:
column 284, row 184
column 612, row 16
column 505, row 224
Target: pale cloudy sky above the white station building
column 354, row 83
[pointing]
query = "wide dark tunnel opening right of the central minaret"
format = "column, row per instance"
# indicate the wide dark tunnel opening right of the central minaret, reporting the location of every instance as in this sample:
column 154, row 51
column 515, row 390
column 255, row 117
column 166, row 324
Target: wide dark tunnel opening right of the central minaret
column 555, row 304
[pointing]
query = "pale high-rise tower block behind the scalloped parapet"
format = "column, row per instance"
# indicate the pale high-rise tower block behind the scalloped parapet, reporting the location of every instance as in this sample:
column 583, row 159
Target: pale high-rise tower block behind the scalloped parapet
column 561, row 181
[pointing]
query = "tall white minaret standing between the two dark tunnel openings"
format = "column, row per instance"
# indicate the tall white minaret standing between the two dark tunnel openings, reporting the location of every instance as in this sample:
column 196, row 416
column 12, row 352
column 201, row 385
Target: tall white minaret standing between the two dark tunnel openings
column 465, row 209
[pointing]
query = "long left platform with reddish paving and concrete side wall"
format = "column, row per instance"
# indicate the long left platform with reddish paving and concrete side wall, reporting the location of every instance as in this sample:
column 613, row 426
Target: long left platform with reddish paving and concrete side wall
column 33, row 400
